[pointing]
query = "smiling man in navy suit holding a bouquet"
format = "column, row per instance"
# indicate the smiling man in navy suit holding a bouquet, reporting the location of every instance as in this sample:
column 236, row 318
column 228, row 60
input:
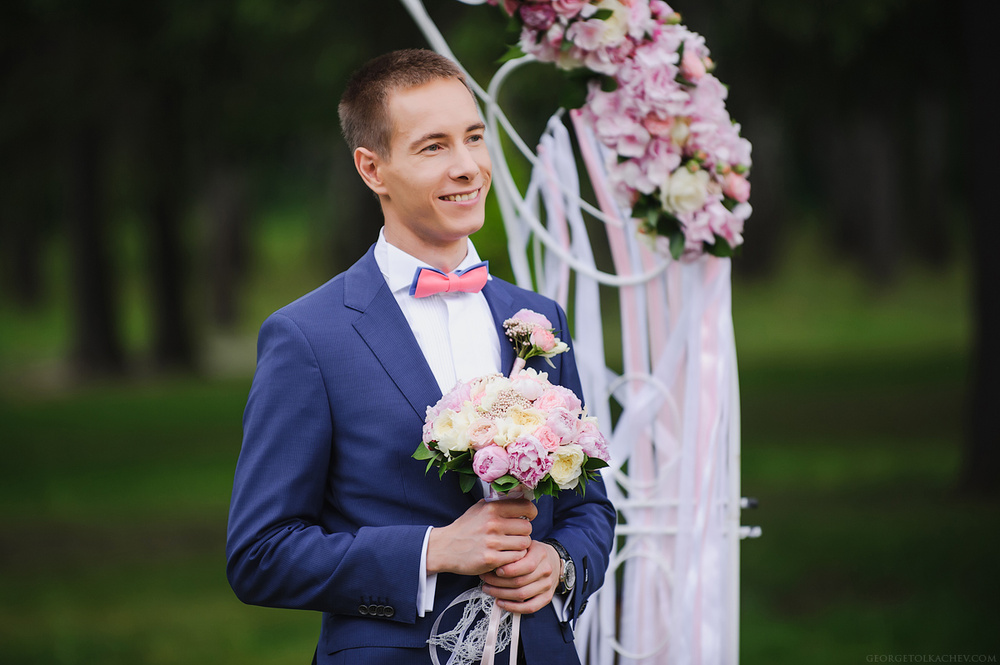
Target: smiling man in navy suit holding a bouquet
column 329, row 511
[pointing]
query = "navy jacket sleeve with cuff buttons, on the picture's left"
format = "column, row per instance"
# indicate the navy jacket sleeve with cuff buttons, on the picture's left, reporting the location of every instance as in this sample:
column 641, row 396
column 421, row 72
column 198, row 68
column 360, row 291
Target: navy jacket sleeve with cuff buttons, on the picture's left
column 278, row 553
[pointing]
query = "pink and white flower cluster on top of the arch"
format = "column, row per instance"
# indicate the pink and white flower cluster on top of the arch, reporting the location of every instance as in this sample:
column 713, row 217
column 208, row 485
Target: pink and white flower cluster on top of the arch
column 680, row 162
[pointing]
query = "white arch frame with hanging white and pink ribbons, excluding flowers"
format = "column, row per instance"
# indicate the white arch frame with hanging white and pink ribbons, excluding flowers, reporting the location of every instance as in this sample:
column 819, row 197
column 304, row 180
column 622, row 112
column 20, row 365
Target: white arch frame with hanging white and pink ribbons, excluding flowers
column 671, row 595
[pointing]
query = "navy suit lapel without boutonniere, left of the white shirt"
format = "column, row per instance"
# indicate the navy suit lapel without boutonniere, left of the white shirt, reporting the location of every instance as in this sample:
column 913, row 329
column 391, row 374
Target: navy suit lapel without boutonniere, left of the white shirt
column 387, row 333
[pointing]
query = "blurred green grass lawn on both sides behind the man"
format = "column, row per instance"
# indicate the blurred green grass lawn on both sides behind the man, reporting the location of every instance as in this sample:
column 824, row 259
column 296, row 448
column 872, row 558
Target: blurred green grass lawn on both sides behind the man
column 113, row 500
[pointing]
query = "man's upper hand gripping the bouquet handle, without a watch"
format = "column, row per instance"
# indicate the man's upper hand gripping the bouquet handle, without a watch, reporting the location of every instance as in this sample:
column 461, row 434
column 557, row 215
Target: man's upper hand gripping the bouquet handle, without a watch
column 485, row 537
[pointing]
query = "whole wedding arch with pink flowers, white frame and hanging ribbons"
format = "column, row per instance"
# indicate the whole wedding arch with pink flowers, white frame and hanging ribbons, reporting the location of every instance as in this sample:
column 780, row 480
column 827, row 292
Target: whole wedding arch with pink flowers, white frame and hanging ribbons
column 671, row 219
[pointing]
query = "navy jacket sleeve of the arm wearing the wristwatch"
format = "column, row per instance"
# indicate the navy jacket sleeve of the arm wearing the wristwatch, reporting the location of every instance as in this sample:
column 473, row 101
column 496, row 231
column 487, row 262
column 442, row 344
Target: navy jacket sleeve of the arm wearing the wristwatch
column 583, row 525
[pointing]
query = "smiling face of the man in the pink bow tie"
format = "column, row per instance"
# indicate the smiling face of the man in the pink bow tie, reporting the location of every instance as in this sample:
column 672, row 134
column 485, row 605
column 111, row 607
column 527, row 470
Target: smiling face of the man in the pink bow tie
column 435, row 180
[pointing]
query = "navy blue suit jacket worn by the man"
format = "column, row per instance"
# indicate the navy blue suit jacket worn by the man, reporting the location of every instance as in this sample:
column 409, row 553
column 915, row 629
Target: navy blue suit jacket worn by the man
column 329, row 510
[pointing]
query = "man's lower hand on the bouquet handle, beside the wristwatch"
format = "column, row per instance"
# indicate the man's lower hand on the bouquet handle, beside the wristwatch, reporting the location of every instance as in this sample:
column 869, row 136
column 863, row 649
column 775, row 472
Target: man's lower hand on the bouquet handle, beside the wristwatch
column 527, row 585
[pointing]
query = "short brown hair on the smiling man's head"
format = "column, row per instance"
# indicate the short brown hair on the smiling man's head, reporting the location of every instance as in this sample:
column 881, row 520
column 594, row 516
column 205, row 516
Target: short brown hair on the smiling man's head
column 364, row 109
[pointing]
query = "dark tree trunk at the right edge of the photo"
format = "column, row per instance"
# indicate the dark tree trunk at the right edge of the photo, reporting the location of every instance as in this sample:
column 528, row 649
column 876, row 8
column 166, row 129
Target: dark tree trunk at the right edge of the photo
column 981, row 463
